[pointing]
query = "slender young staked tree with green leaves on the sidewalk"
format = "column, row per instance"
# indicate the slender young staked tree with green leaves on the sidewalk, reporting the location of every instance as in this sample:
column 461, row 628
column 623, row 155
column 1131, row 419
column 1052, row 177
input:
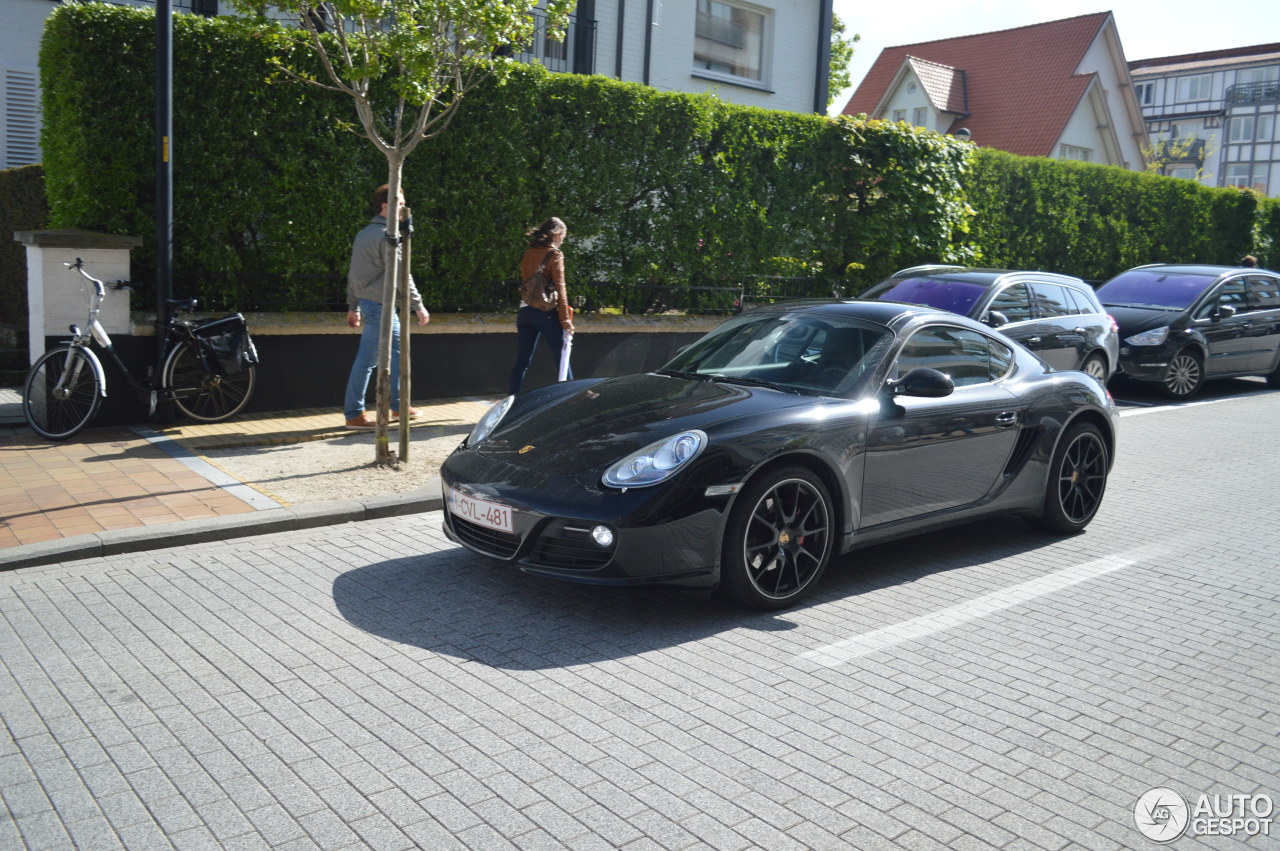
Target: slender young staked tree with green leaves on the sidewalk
column 408, row 67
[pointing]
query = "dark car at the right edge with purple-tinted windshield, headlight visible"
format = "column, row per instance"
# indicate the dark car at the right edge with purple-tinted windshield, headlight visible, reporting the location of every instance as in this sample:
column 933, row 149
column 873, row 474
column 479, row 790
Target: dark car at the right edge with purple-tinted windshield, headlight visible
column 1182, row 326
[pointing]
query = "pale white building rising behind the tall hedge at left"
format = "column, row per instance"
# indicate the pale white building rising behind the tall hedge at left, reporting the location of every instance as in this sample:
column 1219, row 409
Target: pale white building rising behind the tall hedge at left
column 761, row 53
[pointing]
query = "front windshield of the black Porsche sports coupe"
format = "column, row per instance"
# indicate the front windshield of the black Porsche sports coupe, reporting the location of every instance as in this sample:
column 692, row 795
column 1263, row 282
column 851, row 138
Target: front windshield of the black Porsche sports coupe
column 808, row 354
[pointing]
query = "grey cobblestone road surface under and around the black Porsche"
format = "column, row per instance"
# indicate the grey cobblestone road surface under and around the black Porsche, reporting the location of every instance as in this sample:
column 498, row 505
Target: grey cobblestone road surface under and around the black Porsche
column 373, row 687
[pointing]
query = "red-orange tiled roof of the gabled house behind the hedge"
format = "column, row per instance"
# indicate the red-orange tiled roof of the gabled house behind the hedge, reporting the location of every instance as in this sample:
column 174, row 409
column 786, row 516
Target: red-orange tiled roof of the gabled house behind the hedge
column 1022, row 84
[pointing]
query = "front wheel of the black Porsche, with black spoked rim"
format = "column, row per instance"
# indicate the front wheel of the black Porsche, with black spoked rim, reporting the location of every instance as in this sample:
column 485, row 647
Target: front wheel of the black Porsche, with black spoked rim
column 779, row 539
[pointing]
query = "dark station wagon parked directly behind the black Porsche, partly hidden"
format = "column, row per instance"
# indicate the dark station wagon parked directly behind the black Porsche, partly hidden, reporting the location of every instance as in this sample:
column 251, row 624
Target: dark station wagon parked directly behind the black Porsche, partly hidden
column 1055, row 317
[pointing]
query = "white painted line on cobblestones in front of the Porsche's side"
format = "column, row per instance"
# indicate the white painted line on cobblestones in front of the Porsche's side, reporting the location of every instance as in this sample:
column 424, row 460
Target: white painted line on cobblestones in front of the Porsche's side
column 926, row 625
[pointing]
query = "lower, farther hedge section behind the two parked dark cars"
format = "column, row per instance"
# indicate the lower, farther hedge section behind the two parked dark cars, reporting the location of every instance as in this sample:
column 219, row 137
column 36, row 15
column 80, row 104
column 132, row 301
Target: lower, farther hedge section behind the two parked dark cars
column 1098, row 221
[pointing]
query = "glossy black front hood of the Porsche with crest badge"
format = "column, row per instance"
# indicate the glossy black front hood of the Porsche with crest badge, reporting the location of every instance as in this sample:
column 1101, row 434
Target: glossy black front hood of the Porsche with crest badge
column 606, row 422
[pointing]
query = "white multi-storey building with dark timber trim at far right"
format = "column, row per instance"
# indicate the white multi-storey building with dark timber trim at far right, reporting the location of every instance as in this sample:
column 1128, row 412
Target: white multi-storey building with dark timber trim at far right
column 1213, row 117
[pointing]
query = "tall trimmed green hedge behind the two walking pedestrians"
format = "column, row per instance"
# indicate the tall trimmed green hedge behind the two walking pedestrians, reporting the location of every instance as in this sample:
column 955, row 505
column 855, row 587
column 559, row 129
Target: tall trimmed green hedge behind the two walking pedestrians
column 656, row 187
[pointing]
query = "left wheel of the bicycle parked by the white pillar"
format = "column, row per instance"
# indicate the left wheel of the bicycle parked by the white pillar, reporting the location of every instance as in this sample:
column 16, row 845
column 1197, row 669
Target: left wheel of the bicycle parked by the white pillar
column 56, row 414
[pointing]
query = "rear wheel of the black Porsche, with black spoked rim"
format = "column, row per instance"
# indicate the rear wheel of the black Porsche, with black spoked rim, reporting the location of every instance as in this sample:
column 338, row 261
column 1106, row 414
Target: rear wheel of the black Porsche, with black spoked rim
column 1077, row 481
